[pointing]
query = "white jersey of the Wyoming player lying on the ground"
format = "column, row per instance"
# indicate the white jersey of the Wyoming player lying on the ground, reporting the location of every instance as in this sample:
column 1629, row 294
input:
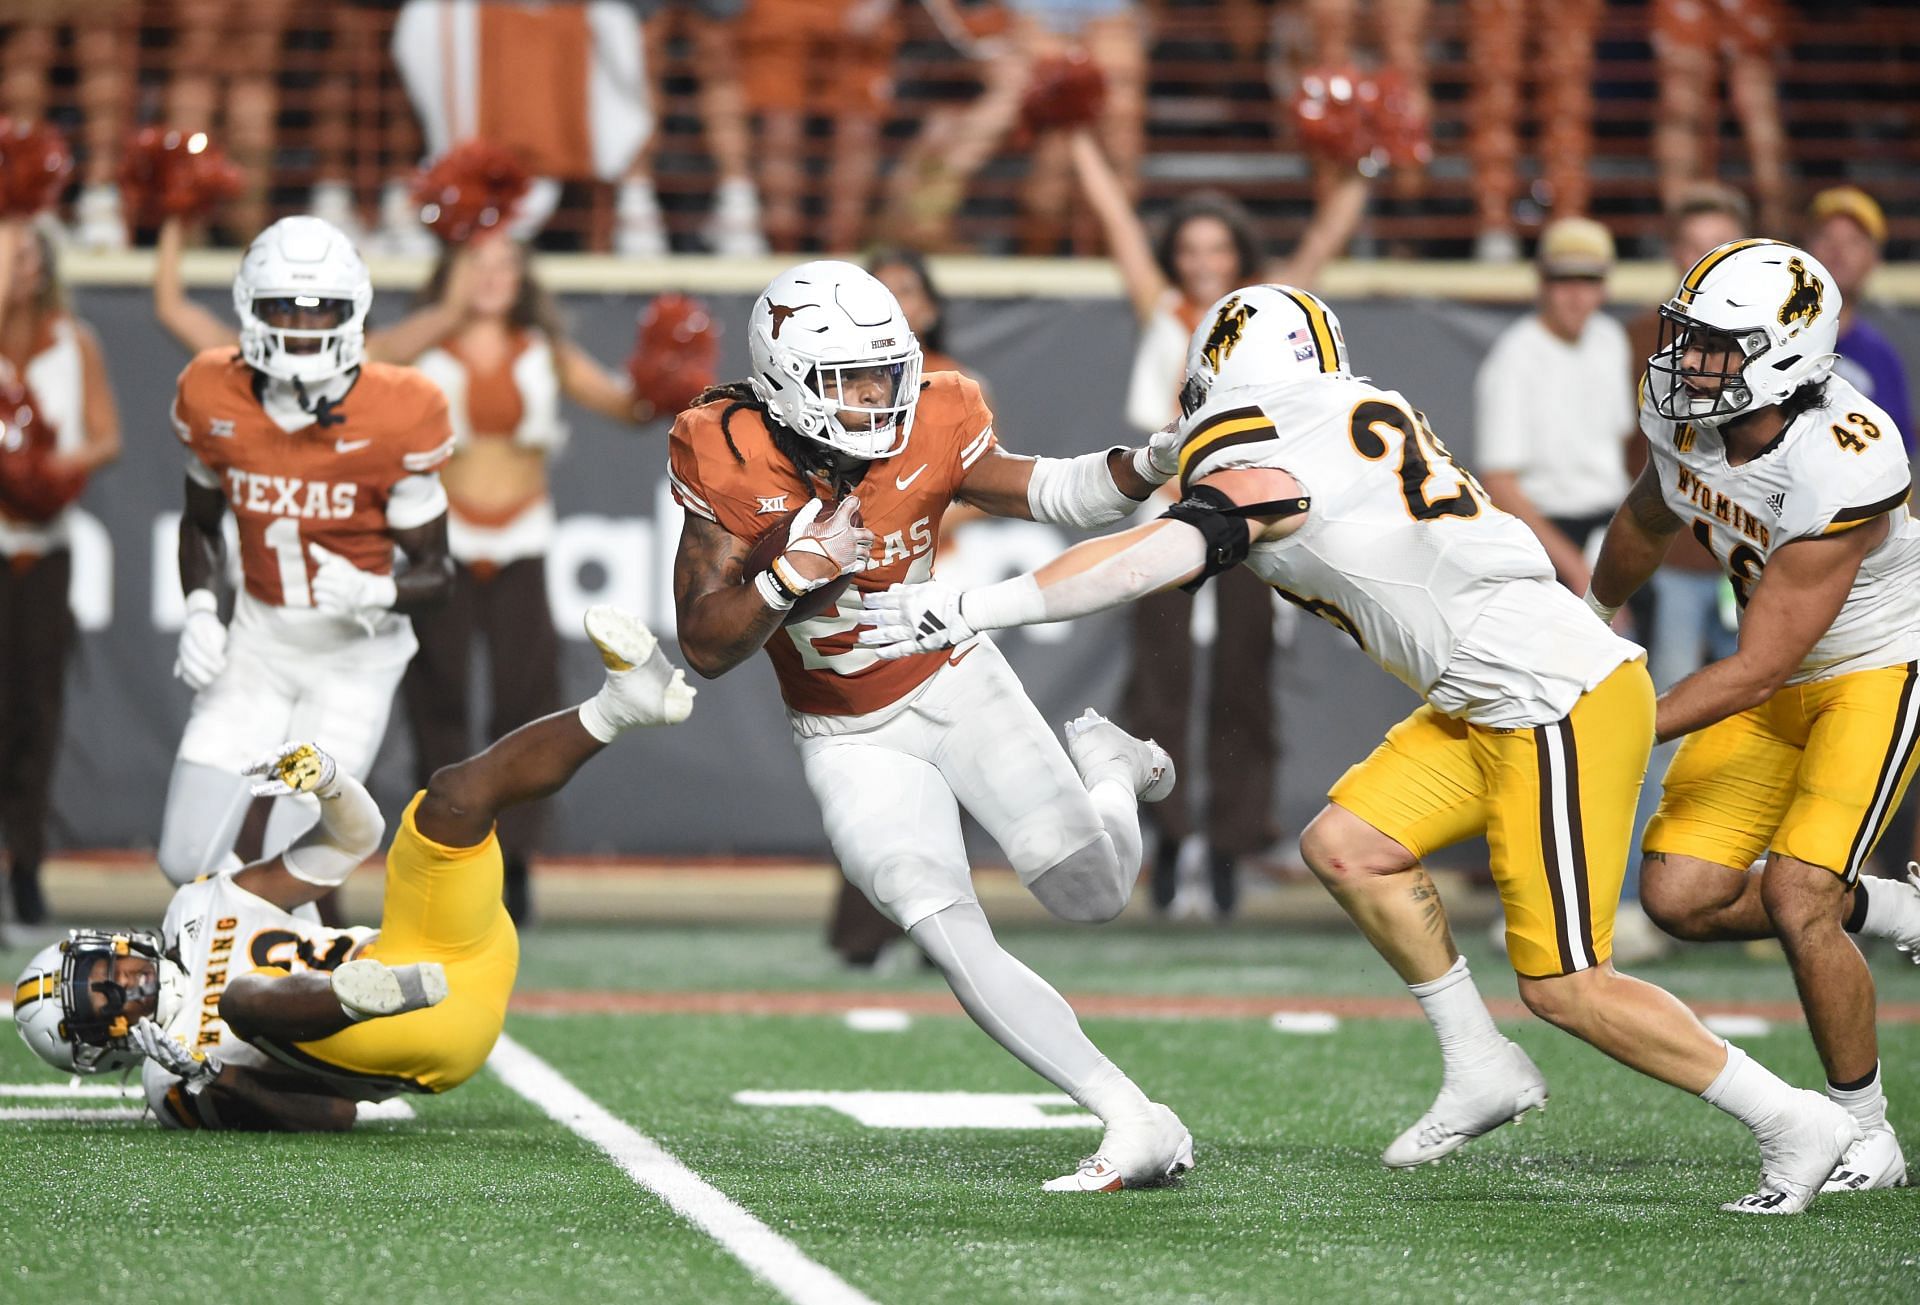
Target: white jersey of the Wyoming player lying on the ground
column 218, row 932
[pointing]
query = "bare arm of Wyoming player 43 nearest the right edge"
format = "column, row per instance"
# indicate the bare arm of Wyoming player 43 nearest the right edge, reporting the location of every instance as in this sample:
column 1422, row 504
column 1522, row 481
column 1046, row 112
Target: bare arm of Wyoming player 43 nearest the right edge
column 1790, row 609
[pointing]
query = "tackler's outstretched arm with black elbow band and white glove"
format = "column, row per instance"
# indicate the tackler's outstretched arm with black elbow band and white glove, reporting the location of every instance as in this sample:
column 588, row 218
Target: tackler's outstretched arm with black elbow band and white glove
column 1095, row 575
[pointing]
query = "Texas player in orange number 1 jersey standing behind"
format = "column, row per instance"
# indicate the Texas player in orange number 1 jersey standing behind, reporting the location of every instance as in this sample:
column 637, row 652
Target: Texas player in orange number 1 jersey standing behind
column 329, row 465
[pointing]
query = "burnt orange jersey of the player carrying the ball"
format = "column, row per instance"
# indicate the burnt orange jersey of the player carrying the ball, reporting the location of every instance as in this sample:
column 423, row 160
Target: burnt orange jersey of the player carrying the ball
column 819, row 663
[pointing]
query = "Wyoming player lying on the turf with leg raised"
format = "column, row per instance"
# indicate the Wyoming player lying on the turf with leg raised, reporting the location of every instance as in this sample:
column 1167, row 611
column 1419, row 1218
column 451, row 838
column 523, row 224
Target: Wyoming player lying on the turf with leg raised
column 251, row 1016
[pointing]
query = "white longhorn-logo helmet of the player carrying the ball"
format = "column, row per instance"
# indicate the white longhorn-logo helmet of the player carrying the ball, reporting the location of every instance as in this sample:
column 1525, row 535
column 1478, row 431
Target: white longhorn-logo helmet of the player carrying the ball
column 811, row 331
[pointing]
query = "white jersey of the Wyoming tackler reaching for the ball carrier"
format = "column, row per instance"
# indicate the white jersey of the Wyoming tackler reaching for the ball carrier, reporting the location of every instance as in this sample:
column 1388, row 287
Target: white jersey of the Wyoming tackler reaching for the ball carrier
column 1404, row 552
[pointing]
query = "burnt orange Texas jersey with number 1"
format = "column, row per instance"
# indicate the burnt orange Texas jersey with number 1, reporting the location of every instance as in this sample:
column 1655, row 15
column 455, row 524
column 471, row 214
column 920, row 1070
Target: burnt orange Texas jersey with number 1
column 324, row 486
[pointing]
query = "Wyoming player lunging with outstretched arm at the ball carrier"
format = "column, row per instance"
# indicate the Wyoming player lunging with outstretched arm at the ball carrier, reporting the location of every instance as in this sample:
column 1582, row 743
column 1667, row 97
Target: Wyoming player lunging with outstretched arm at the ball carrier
column 1535, row 732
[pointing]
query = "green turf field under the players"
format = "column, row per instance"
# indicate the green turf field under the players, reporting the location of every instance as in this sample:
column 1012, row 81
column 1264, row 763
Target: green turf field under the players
column 1608, row 1197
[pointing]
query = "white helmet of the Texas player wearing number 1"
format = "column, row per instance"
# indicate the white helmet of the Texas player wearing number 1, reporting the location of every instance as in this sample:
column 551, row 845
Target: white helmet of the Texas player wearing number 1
column 302, row 266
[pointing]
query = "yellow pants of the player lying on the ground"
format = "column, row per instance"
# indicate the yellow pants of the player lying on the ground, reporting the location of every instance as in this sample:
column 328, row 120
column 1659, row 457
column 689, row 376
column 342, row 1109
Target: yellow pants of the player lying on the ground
column 443, row 905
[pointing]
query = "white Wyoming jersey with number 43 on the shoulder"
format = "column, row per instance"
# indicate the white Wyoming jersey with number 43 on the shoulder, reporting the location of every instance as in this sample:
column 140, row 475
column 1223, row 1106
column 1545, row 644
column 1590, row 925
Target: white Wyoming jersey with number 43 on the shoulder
column 1835, row 469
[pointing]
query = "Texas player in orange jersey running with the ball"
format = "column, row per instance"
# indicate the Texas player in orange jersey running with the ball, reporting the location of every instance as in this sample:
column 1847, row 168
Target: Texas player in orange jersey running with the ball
column 838, row 414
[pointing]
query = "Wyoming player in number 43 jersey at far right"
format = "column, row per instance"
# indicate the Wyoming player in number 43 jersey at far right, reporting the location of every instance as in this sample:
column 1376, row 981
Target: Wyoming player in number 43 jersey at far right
column 1802, row 744
